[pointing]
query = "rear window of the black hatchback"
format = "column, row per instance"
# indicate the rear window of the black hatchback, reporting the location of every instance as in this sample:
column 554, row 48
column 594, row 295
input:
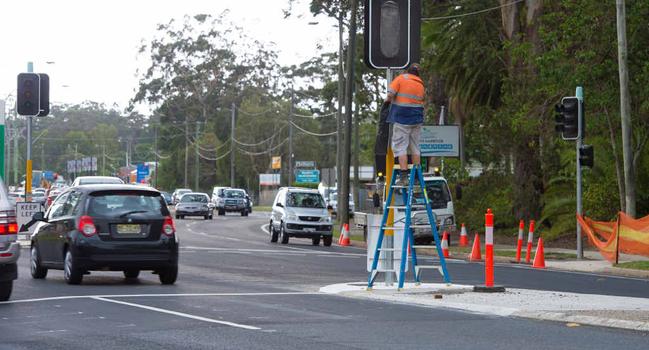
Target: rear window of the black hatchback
column 116, row 203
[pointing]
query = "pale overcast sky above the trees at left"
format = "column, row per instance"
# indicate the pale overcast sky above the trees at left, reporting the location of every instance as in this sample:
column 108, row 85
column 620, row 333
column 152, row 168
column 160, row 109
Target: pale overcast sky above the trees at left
column 89, row 47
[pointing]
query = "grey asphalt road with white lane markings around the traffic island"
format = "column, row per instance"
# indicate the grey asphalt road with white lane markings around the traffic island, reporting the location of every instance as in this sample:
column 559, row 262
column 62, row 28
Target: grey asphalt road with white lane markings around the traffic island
column 236, row 290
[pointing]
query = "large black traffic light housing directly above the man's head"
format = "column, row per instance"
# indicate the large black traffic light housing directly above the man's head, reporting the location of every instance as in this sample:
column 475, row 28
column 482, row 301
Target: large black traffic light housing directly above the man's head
column 392, row 33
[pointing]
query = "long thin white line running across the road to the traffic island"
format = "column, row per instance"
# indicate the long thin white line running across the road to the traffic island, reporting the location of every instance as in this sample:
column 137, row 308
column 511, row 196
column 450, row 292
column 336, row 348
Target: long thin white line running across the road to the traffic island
column 66, row 297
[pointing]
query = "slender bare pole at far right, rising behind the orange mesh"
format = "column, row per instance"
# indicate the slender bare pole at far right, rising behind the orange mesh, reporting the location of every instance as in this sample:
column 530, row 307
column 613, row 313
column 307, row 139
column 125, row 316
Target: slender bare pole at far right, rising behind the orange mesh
column 625, row 110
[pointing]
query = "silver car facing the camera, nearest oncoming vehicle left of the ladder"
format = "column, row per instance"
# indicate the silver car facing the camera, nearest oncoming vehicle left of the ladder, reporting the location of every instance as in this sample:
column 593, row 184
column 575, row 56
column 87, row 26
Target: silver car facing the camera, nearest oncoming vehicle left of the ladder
column 300, row 213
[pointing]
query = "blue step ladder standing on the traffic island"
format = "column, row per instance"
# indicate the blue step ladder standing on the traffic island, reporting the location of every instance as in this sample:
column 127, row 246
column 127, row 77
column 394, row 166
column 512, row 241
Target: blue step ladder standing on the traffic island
column 408, row 236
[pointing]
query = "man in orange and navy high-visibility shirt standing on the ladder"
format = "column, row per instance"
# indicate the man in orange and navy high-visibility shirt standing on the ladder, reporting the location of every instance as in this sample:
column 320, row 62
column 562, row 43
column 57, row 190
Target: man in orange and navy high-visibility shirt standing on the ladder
column 406, row 95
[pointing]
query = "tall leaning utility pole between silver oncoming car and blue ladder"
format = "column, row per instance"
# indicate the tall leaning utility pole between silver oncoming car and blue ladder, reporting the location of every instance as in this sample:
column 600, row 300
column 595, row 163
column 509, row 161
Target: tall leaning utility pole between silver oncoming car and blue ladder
column 343, row 201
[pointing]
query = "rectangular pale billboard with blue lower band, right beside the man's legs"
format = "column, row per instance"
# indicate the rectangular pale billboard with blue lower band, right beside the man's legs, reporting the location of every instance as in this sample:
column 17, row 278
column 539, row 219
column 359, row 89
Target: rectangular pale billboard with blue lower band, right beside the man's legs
column 440, row 141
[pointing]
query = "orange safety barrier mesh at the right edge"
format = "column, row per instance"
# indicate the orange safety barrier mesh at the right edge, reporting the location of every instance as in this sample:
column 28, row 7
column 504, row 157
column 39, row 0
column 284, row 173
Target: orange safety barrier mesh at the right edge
column 626, row 235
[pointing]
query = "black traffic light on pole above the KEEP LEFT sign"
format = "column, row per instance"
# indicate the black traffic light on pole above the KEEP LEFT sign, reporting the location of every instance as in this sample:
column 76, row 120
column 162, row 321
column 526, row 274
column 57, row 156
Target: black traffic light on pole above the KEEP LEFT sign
column 33, row 92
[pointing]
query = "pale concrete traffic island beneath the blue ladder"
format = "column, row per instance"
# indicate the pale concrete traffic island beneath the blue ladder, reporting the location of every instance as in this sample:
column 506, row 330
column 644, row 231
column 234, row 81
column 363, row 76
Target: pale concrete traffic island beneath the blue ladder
column 587, row 309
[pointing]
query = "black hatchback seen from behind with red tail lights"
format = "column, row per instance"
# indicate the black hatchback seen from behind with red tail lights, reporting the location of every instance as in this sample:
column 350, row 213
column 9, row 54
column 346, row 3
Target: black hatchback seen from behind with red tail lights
column 105, row 227
